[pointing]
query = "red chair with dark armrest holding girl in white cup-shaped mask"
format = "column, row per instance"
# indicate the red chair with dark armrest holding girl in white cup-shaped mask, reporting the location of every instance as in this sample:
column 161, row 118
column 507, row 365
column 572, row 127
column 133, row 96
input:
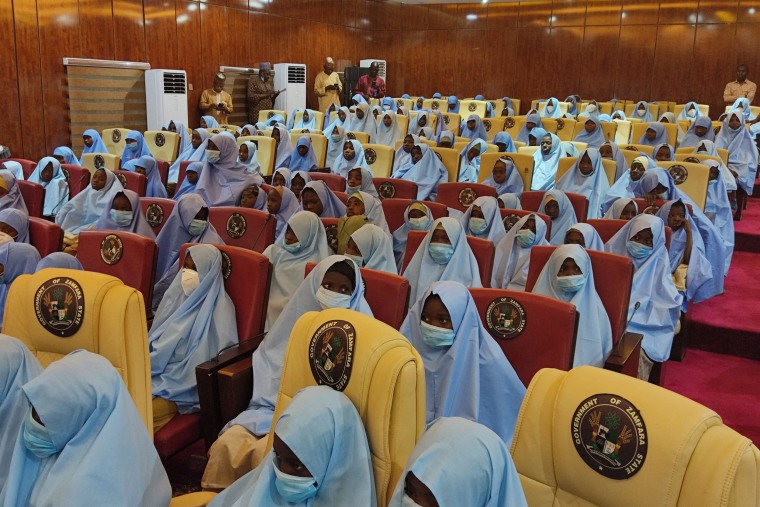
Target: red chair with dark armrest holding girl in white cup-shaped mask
column 247, row 276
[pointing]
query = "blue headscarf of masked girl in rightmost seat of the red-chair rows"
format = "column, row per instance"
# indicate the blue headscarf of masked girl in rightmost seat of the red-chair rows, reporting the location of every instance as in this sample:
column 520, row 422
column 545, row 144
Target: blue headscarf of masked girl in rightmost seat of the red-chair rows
column 653, row 288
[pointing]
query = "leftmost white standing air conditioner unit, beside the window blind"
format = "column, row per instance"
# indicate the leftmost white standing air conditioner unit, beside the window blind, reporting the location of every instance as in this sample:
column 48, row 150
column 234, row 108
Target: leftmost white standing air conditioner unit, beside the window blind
column 165, row 97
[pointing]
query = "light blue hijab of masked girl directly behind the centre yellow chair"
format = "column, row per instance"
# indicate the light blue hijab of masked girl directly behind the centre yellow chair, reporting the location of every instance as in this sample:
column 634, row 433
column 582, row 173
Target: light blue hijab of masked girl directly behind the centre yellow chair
column 268, row 359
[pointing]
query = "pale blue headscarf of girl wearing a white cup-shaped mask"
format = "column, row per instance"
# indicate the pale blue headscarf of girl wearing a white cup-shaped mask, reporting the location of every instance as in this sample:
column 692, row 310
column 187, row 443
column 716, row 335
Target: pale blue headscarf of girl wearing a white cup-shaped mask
column 188, row 330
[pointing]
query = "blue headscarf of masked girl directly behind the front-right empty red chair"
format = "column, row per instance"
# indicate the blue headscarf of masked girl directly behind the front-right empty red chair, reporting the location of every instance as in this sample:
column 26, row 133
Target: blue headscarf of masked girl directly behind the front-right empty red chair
column 594, row 342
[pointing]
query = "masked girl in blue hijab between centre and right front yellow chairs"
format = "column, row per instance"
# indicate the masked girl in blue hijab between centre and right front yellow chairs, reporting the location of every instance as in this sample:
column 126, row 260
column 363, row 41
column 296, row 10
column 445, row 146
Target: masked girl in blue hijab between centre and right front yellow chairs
column 466, row 372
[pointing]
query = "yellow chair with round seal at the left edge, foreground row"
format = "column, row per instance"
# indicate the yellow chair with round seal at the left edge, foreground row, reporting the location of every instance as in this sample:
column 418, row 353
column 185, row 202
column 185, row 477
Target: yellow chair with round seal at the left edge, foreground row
column 57, row 311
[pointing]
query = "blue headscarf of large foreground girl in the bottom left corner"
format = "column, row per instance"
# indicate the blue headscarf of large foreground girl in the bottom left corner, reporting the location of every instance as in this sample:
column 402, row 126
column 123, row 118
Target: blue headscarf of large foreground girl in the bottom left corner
column 105, row 455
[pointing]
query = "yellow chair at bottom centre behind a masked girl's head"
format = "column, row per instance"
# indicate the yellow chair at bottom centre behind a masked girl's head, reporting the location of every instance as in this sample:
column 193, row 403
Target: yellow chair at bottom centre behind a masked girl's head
column 382, row 375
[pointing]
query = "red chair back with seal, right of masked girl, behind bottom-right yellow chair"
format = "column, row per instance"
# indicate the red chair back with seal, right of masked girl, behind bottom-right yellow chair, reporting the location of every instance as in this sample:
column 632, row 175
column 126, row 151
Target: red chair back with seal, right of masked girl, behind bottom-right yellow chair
column 528, row 342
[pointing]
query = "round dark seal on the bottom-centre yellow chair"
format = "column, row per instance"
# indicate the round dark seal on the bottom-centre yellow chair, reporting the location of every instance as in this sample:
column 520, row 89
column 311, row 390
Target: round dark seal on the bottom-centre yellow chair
column 331, row 354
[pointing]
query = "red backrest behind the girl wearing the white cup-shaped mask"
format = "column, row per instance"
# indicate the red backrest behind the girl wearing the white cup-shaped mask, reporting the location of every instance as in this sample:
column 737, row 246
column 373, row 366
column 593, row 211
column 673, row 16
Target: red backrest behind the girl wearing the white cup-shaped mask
column 241, row 267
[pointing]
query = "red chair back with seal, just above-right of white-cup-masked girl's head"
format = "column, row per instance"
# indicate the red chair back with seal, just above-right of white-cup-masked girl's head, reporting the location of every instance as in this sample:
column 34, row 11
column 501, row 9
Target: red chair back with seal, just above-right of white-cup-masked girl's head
column 244, row 227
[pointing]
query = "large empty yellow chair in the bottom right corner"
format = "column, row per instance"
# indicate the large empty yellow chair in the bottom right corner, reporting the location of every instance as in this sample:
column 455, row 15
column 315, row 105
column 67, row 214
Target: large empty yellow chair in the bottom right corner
column 592, row 437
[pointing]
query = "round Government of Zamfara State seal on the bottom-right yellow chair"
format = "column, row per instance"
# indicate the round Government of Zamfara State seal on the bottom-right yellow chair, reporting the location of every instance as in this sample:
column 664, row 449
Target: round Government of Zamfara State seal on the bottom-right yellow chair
column 610, row 436
